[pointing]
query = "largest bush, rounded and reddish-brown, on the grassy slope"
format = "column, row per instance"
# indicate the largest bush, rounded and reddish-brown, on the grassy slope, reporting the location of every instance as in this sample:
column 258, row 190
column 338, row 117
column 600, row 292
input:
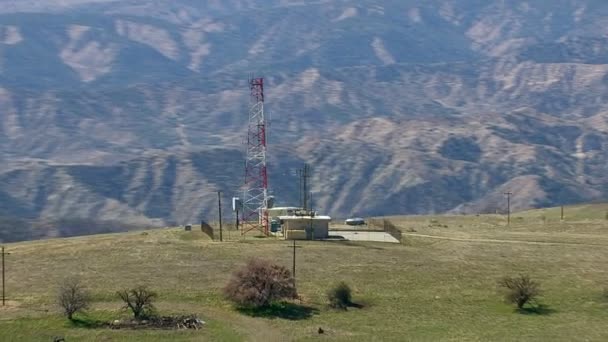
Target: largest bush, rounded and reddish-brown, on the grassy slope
column 260, row 283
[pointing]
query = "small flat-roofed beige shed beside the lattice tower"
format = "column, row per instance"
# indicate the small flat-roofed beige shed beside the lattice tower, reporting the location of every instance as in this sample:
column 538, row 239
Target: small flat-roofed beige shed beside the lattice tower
column 305, row 227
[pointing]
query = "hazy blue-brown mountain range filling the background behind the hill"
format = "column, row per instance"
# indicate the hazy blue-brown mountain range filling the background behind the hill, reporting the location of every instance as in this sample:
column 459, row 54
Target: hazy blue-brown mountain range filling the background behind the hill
column 135, row 111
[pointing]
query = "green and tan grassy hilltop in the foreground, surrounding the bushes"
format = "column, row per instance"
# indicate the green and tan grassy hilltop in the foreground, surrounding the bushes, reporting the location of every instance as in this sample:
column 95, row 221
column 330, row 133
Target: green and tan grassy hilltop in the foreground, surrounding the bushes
column 427, row 289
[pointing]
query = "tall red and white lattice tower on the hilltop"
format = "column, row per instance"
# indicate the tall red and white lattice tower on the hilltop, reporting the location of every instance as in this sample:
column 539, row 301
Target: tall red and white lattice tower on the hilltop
column 255, row 196
